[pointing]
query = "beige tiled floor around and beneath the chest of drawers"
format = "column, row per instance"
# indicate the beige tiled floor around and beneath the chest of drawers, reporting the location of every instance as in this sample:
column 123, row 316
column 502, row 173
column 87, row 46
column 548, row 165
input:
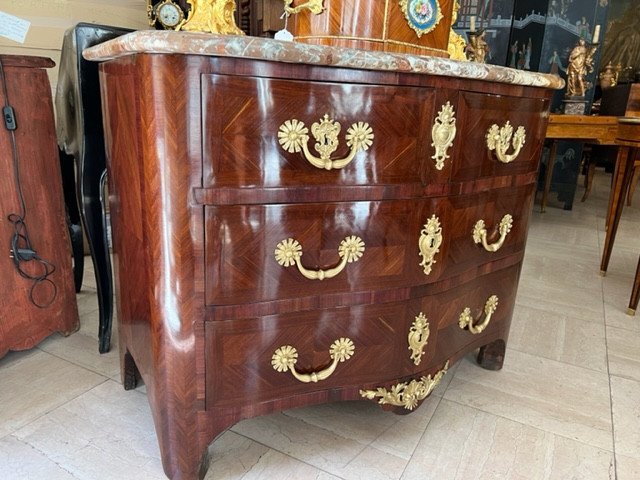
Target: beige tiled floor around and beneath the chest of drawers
column 566, row 405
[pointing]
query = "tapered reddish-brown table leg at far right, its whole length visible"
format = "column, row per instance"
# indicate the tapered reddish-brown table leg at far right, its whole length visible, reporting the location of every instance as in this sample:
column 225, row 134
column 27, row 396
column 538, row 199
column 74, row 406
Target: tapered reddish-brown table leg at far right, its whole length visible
column 616, row 202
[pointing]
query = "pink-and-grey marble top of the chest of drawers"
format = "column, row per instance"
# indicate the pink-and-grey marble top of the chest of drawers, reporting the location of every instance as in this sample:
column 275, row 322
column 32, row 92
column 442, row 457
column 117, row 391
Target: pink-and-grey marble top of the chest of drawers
column 192, row 43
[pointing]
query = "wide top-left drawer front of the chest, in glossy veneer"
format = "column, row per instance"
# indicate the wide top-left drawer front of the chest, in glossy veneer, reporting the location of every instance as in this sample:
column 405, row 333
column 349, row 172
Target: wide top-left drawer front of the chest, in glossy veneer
column 241, row 125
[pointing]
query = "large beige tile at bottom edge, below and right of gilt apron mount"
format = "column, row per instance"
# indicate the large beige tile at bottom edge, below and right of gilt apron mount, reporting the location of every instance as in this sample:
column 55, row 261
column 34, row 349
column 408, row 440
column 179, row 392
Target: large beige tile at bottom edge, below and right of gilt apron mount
column 463, row 443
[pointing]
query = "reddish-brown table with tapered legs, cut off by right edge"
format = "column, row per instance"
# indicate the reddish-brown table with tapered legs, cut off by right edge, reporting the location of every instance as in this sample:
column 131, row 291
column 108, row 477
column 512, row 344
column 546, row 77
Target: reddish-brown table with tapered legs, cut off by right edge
column 628, row 139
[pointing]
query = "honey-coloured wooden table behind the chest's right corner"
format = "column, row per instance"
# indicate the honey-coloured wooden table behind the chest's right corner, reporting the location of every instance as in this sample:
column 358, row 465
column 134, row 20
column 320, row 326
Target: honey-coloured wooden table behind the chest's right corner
column 600, row 130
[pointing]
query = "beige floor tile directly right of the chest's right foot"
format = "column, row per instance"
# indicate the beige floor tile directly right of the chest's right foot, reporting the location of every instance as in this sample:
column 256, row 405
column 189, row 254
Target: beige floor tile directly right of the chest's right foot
column 559, row 337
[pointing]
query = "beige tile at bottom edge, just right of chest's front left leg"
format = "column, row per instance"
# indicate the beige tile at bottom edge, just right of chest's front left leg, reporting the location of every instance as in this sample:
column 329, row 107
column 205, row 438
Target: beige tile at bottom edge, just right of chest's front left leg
column 234, row 457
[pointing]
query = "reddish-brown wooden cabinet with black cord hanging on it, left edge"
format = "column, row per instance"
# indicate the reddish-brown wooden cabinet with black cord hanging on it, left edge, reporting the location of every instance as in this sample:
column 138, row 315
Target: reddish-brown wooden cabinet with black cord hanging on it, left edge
column 24, row 324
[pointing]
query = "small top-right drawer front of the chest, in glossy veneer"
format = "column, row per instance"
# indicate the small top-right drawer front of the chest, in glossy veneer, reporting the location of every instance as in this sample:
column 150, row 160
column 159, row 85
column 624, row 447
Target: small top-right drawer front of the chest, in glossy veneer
column 476, row 114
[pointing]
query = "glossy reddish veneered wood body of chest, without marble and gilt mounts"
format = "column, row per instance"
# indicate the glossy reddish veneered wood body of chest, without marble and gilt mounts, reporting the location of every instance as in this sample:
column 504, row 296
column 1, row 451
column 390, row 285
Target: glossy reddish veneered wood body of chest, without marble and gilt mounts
column 200, row 195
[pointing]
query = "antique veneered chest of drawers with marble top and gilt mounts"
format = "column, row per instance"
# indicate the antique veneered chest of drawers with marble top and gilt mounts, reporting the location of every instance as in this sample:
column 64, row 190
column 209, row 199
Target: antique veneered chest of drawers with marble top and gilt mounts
column 298, row 224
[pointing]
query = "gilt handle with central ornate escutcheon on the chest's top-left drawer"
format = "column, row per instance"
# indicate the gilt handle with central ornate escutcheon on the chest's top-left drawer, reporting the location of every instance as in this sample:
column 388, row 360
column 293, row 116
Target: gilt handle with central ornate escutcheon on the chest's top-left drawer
column 293, row 136
